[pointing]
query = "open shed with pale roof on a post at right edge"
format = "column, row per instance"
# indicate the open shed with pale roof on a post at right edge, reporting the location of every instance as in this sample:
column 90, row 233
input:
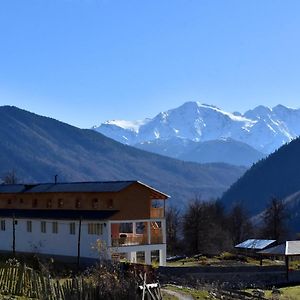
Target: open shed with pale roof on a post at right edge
column 286, row 250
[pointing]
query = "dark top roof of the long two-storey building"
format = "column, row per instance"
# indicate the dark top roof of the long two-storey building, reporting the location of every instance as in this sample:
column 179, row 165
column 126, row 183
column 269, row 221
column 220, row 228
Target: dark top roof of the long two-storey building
column 69, row 187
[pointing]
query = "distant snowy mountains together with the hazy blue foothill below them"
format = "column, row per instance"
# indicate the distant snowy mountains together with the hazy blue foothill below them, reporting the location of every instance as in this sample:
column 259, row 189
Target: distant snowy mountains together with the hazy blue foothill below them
column 179, row 132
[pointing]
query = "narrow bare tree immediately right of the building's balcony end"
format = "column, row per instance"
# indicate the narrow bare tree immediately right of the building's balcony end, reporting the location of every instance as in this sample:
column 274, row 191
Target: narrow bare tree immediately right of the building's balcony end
column 173, row 222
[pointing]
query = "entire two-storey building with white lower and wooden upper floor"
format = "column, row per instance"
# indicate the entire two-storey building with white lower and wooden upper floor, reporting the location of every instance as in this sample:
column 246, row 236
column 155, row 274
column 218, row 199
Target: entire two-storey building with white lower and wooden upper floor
column 75, row 228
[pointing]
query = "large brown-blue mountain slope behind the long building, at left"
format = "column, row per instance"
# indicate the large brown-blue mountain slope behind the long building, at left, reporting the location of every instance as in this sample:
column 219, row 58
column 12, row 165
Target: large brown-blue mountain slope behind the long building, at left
column 38, row 148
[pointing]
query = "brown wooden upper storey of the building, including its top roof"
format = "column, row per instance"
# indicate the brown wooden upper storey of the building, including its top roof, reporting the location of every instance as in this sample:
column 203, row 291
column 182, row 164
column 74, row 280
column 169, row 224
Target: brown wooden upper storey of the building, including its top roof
column 130, row 199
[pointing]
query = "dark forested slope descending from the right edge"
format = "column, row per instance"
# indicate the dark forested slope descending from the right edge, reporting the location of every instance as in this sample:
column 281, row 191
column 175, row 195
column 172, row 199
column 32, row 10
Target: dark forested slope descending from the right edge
column 275, row 176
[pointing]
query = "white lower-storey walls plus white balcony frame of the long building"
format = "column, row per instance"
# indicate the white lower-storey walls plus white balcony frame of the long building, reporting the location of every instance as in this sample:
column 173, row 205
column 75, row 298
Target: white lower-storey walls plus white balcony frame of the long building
column 65, row 244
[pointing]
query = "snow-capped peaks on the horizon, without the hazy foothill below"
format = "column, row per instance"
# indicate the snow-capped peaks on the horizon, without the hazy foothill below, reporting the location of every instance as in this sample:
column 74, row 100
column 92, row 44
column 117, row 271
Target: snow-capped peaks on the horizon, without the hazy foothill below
column 263, row 128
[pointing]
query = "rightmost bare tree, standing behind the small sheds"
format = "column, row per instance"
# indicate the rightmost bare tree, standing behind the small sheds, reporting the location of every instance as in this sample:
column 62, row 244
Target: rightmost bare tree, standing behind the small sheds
column 274, row 221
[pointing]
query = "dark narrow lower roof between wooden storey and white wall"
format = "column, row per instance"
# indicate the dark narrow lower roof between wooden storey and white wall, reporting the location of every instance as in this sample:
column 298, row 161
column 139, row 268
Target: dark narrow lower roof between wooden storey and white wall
column 64, row 214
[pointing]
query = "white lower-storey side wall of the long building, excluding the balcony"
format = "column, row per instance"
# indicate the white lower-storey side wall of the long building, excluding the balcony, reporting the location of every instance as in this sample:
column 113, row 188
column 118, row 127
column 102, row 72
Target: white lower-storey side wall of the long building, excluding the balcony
column 61, row 243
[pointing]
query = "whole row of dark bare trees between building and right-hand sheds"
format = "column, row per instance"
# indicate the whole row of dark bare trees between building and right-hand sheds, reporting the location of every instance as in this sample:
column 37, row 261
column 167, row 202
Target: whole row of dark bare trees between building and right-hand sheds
column 207, row 228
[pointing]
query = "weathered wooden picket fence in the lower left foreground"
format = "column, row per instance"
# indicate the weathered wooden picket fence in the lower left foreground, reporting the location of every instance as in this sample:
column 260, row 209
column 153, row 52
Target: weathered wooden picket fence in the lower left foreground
column 21, row 280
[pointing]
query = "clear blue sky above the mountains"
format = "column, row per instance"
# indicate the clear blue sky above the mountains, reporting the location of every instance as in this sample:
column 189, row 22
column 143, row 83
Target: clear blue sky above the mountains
column 86, row 61
